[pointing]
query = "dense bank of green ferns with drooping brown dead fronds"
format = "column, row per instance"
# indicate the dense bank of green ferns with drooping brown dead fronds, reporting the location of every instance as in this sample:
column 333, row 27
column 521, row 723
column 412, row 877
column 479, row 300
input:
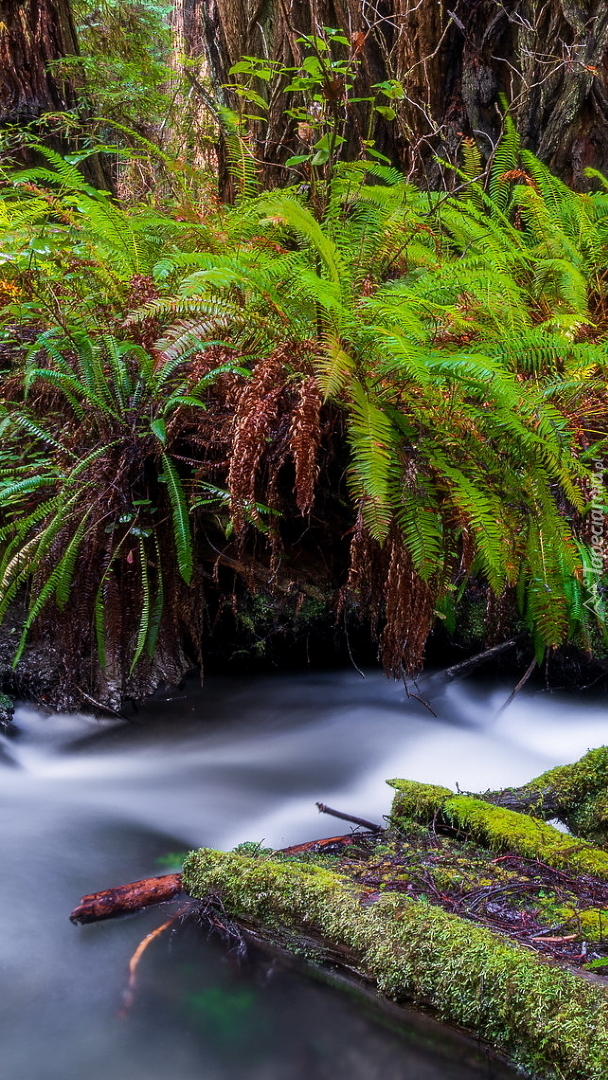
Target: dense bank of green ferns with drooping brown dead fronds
column 421, row 377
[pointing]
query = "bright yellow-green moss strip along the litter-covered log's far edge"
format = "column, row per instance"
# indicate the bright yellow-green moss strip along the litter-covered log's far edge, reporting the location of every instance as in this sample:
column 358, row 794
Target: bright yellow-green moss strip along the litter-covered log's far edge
column 498, row 829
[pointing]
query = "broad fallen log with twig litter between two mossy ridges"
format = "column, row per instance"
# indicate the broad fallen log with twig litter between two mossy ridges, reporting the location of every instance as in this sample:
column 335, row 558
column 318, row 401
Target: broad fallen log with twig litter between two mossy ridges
column 414, row 914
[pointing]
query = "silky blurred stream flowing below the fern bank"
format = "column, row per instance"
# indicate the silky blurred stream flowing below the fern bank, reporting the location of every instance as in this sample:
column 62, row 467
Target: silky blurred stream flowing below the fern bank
column 88, row 804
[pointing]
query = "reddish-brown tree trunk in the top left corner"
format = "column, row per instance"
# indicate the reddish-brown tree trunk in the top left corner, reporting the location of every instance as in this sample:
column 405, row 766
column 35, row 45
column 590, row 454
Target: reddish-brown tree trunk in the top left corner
column 34, row 34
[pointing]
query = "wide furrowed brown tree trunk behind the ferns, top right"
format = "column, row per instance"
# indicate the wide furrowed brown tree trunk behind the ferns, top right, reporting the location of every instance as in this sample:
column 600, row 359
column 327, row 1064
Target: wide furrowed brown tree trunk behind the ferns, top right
column 458, row 64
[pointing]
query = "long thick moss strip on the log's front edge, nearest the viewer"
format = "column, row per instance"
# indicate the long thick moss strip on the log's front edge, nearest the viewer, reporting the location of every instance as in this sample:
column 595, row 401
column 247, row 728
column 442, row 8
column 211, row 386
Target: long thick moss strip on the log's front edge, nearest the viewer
column 548, row 1020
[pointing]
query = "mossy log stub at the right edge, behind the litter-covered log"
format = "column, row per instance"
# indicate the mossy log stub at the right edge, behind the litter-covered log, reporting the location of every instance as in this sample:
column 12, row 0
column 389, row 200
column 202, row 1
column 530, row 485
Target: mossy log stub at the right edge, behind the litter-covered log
column 575, row 794
